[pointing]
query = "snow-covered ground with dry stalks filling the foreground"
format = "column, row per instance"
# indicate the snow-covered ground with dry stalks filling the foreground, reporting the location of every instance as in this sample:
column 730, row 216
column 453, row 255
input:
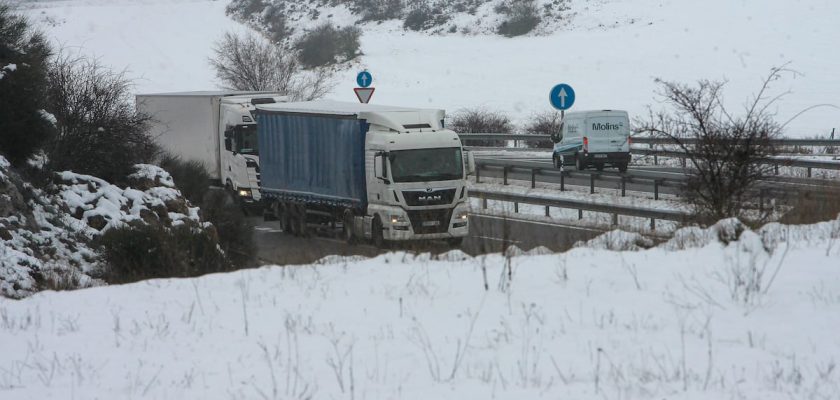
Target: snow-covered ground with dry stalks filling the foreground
column 693, row 319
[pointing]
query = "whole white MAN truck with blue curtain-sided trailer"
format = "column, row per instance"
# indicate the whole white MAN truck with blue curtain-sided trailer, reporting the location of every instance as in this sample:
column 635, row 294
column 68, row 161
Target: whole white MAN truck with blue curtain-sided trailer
column 380, row 173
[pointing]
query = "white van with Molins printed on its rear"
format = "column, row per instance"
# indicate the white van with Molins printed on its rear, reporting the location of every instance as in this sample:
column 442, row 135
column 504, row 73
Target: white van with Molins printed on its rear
column 593, row 138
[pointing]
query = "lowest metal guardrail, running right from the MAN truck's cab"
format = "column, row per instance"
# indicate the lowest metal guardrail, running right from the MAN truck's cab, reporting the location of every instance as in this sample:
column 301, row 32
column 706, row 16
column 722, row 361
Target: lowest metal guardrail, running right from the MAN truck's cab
column 616, row 210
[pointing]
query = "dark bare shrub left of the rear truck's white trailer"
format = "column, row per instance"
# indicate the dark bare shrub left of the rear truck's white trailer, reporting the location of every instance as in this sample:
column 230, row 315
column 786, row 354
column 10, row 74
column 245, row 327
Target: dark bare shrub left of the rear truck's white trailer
column 100, row 133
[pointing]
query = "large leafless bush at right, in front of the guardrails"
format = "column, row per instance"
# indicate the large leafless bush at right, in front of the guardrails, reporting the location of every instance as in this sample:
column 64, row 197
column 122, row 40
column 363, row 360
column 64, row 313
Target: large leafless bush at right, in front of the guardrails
column 724, row 150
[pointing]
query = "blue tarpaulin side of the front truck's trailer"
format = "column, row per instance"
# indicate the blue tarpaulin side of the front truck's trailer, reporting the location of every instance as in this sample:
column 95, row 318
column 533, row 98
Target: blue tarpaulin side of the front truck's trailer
column 313, row 158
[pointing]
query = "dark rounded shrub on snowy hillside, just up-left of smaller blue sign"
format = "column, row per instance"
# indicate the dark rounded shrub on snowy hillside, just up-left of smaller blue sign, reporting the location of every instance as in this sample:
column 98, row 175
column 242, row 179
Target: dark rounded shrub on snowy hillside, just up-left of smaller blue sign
column 328, row 45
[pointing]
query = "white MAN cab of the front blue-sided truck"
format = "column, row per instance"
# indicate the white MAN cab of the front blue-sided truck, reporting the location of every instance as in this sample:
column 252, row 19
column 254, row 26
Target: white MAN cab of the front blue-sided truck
column 417, row 182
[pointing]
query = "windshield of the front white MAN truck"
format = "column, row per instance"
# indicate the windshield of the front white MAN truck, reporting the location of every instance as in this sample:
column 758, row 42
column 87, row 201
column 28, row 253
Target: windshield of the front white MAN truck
column 427, row 165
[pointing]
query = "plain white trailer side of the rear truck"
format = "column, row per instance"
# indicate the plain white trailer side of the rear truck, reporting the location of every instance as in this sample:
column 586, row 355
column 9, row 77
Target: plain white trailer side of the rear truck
column 186, row 126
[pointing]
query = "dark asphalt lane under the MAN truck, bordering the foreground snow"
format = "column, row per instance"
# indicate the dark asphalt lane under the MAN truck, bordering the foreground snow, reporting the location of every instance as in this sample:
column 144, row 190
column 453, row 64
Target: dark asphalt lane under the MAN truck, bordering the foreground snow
column 488, row 234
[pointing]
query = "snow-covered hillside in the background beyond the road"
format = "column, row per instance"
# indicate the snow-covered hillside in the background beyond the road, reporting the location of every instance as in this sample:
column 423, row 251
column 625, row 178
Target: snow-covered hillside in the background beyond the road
column 610, row 51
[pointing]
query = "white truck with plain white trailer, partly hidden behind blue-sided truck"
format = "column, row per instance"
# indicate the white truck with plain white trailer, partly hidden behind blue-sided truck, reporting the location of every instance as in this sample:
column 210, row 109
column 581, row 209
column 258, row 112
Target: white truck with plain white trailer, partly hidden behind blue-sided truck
column 217, row 128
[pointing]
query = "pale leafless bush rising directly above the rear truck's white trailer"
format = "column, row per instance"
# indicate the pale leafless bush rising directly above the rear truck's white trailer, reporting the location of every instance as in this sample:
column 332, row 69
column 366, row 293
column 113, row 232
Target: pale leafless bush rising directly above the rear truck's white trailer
column 250, row 62
